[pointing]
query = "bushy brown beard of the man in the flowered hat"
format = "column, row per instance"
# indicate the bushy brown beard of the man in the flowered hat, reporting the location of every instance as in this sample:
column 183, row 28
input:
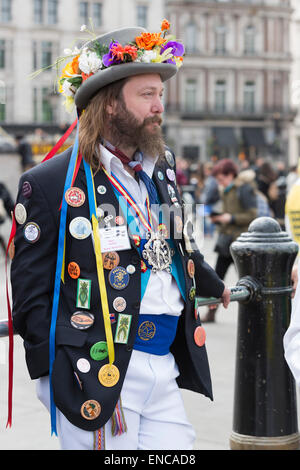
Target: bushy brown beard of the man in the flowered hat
column 126, row 131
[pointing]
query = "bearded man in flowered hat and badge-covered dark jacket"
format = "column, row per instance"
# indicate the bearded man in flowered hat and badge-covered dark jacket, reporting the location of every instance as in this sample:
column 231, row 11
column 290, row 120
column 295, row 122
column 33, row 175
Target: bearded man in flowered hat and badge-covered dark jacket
column 103, row 280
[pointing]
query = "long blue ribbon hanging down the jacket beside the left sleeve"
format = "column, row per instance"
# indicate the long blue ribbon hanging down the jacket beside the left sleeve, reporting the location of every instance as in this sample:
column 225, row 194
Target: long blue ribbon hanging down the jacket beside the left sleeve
column 59, row 264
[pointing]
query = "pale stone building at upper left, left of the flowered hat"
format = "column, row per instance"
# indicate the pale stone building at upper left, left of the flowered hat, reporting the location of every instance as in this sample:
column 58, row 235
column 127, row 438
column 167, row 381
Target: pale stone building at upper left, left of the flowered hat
column 33, row 33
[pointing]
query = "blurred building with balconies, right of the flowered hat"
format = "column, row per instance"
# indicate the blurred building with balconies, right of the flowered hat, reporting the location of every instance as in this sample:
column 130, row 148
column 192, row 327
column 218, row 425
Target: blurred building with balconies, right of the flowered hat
column 232, row 96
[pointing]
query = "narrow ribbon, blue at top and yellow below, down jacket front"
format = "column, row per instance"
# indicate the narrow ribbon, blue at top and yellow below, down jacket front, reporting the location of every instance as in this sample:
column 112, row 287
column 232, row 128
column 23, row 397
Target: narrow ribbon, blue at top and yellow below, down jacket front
column 99, row 262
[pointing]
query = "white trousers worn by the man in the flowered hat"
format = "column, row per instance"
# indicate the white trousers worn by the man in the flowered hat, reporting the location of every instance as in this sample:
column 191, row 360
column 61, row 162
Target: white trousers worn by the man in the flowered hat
column 152, row 405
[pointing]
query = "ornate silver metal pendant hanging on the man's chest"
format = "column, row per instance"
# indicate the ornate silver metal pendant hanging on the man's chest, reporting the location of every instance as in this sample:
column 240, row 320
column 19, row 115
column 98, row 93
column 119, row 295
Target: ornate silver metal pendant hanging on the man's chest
column 157, row 252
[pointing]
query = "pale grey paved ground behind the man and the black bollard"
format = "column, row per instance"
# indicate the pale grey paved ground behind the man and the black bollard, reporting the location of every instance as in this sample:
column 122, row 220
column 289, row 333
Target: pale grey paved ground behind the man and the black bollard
column 211, row 420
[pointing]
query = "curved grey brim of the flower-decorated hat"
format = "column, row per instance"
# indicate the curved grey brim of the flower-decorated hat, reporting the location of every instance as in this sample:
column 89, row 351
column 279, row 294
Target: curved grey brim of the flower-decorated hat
column 117, row 72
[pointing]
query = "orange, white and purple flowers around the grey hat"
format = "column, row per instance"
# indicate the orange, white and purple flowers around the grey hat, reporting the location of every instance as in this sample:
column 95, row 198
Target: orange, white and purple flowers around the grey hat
column 148, row 47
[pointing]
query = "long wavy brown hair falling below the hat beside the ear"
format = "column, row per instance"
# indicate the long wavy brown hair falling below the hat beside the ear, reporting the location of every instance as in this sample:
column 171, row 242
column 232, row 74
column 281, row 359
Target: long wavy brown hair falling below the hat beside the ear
column 94, row 120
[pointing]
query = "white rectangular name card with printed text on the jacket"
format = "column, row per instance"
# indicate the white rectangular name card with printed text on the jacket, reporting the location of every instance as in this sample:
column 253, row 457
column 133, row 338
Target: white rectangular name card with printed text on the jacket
column 114, row 238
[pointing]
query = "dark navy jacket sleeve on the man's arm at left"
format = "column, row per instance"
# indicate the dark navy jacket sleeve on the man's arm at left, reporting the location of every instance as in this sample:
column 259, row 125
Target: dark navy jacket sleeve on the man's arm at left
column 32, row 277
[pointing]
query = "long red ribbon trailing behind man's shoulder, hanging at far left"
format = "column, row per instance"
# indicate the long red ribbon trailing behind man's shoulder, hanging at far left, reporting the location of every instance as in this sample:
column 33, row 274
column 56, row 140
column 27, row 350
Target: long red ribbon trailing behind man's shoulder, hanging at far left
column 51, row 154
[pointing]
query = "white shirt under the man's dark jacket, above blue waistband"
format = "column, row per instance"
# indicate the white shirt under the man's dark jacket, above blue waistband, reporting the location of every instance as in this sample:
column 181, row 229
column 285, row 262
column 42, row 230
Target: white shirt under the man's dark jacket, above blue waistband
column 162, row 295
